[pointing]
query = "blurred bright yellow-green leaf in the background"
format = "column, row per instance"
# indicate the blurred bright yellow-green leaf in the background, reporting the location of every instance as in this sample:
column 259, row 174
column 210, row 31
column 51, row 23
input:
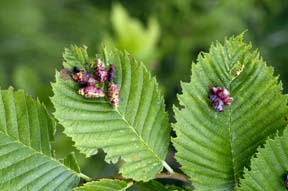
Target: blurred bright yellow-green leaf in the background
column 132, row 36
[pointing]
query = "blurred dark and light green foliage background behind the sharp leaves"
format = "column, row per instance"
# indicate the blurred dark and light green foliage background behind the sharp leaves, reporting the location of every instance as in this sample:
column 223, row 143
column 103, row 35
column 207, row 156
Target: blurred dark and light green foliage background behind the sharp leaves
column 166, row 34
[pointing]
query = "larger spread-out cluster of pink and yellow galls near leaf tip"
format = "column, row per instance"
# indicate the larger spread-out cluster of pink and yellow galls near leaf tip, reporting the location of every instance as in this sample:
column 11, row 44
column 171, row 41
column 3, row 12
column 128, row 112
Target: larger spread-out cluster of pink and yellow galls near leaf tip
column 92, row 84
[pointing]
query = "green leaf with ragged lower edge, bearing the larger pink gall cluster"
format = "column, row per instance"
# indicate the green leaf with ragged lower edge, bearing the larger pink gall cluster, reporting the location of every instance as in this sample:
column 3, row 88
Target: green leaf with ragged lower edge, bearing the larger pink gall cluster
column 137, row 131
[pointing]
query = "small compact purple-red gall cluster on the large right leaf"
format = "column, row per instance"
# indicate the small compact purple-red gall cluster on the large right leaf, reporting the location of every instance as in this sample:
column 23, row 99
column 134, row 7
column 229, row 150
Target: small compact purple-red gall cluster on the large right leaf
column 219, row 97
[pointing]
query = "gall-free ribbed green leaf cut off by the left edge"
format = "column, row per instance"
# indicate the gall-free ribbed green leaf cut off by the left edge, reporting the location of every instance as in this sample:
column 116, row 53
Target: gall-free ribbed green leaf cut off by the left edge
column 26, row 160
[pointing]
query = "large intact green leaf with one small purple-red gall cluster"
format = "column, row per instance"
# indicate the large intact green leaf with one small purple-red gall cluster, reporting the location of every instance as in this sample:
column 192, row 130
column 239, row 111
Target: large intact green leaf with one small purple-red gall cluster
column 214, row 147
